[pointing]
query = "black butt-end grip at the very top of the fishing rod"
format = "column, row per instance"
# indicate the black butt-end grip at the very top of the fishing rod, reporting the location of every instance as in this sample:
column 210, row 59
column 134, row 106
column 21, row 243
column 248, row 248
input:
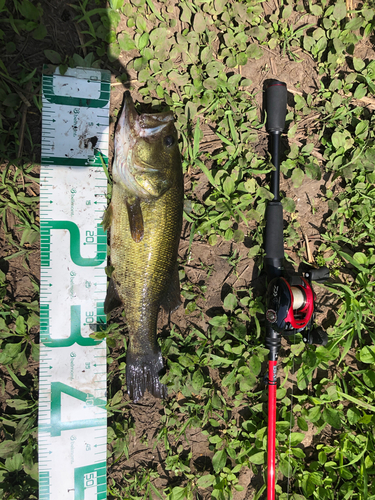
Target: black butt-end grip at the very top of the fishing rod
column 276, row 97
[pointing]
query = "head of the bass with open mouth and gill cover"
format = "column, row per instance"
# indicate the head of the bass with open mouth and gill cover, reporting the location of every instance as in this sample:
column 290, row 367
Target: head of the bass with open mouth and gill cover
column 147, row 157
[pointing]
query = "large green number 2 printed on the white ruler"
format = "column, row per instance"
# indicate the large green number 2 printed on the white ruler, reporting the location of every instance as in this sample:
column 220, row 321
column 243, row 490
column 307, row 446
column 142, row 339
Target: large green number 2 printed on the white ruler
column 75, row 243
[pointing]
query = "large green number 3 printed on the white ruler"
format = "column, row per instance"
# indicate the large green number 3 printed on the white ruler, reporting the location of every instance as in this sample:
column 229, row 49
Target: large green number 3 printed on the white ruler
column 75, row 331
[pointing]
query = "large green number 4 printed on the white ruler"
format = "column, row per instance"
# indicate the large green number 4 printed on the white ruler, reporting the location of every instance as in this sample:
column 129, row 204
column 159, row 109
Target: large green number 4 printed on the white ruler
column 57, row 388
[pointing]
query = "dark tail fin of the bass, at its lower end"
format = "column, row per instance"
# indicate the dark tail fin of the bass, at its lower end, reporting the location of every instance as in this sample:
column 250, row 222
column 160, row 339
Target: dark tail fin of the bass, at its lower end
column 142, row 372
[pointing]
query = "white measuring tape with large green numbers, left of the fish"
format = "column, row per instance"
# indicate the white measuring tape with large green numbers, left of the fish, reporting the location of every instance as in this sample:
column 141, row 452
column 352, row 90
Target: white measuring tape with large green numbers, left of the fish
column 72, row 433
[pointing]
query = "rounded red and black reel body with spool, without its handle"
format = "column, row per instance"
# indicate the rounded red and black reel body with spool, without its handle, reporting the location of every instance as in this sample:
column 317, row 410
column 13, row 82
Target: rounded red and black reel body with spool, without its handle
column 290, row 304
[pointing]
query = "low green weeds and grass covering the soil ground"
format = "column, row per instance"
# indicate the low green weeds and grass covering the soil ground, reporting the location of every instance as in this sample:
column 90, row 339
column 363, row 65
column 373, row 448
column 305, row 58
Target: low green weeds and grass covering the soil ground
column 191, row 58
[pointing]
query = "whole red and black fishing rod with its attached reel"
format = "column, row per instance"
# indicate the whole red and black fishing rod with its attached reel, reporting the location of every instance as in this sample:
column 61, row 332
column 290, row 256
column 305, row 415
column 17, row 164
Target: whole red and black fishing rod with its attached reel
column 290, row 300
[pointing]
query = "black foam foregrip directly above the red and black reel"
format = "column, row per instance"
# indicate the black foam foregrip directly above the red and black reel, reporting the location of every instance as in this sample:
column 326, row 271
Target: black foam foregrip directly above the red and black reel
column 274, row 239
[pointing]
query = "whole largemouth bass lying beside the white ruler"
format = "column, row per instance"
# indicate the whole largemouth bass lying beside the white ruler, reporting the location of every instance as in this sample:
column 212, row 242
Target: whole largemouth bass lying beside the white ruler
column 145, row 219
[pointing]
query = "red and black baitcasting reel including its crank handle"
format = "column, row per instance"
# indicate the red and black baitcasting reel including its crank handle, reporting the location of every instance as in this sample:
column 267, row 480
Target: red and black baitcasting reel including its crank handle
column 290, row 305
